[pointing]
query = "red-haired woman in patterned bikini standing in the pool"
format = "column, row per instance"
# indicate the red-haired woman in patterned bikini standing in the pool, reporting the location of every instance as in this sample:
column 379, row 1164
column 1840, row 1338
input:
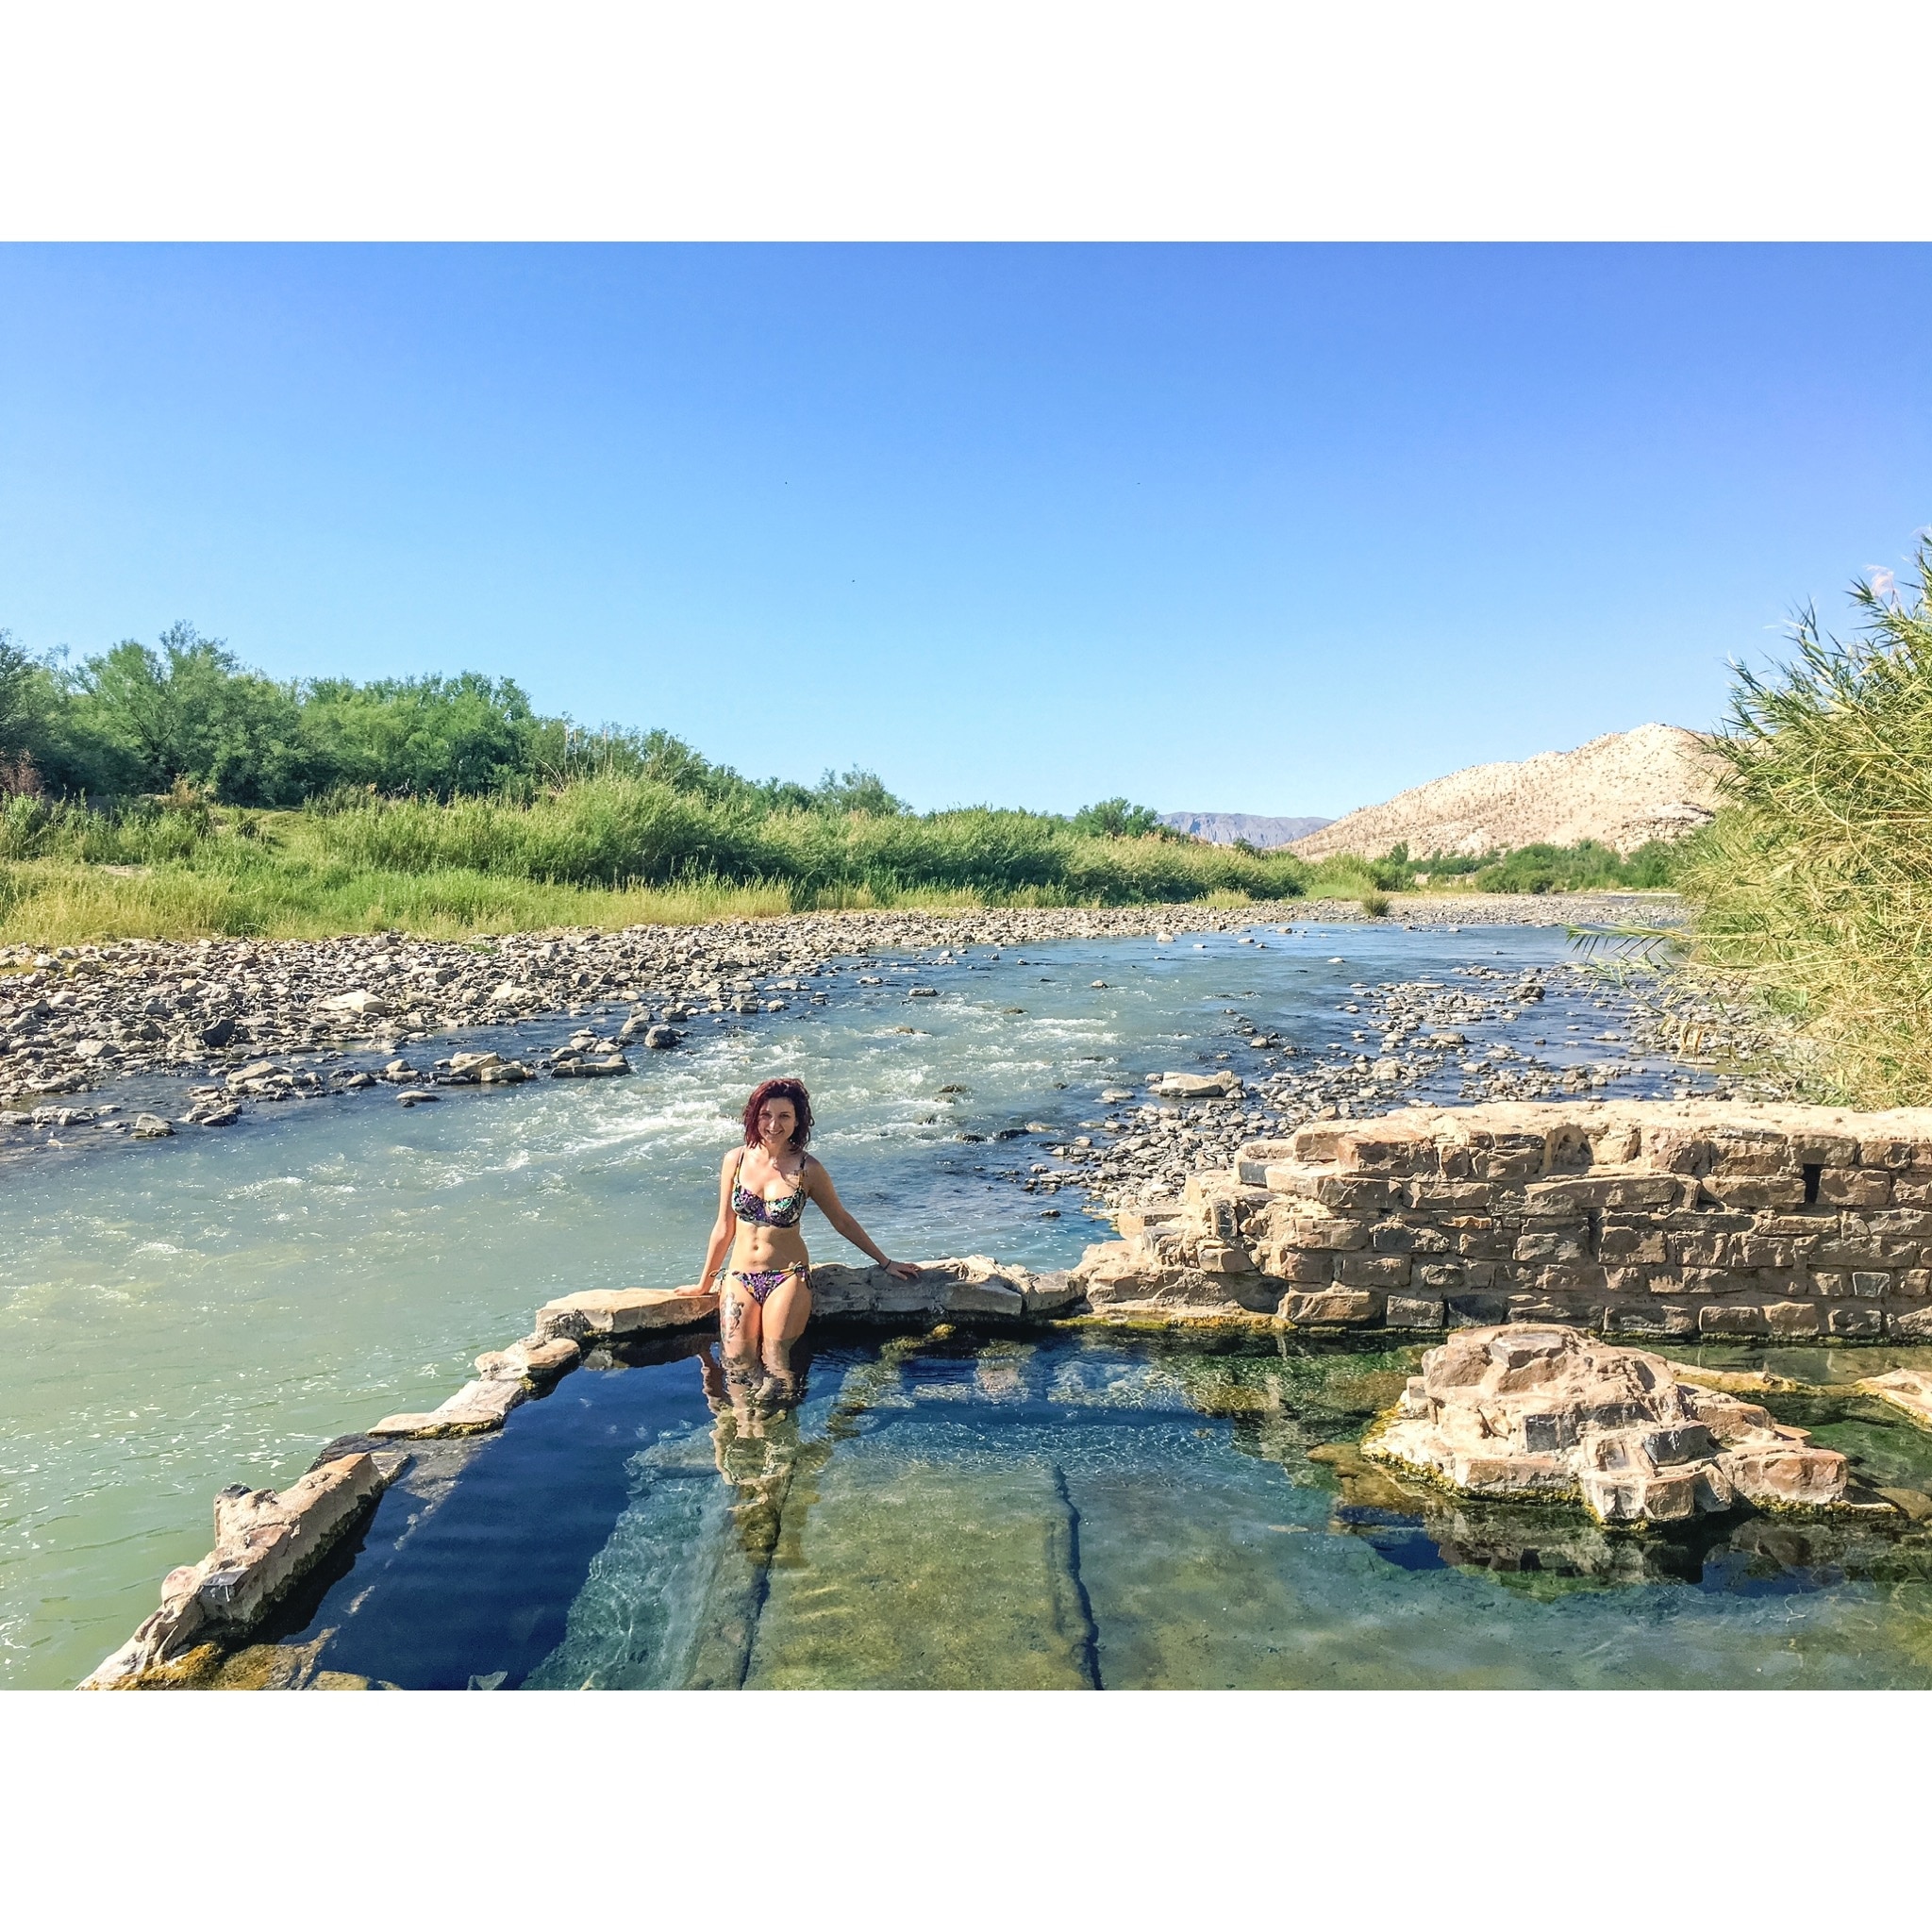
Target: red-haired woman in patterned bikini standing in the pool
column 758, row 1255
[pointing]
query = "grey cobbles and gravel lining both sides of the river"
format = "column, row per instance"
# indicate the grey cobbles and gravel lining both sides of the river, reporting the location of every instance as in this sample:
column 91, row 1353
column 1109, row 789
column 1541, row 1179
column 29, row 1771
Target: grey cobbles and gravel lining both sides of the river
column 248, row 1023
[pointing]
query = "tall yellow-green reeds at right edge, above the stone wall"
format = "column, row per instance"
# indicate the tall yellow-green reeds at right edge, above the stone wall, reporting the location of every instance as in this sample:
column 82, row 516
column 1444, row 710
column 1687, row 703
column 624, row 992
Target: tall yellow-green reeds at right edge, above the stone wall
column 1815, row 882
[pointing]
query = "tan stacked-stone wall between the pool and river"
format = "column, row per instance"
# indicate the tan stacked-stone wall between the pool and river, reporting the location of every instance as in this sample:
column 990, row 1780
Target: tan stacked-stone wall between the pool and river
column 1628, row 1218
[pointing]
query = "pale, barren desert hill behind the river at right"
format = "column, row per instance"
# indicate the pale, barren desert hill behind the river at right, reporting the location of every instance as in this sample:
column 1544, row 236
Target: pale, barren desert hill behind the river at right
column 1657, row 781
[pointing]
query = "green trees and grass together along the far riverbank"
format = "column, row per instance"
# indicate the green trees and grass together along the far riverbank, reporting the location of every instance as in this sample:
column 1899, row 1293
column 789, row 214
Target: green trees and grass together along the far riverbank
column 171, row 791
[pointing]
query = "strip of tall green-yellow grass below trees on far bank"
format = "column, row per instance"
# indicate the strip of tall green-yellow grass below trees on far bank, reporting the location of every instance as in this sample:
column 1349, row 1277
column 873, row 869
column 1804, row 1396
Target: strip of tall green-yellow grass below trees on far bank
column 606, row 851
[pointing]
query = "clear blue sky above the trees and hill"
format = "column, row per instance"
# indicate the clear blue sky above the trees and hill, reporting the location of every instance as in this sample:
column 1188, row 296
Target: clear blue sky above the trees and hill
column 1220, row 528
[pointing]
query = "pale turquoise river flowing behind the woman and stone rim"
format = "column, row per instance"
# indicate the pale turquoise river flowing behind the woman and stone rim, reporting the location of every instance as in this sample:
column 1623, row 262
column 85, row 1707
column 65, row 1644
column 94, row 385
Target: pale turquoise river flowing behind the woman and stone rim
column 183, row 1315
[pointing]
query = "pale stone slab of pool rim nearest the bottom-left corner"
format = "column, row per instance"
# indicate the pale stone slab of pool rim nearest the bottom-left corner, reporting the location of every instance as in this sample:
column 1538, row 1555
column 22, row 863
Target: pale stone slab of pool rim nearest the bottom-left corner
column 264, row 1541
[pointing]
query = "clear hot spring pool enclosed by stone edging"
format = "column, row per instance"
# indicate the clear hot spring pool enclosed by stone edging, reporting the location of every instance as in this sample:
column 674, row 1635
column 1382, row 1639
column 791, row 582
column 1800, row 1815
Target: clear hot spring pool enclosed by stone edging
column 1075, row 1512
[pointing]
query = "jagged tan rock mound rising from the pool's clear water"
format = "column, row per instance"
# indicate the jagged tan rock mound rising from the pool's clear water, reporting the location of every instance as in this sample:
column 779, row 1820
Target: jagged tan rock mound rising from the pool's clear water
column 1548, row 1413
